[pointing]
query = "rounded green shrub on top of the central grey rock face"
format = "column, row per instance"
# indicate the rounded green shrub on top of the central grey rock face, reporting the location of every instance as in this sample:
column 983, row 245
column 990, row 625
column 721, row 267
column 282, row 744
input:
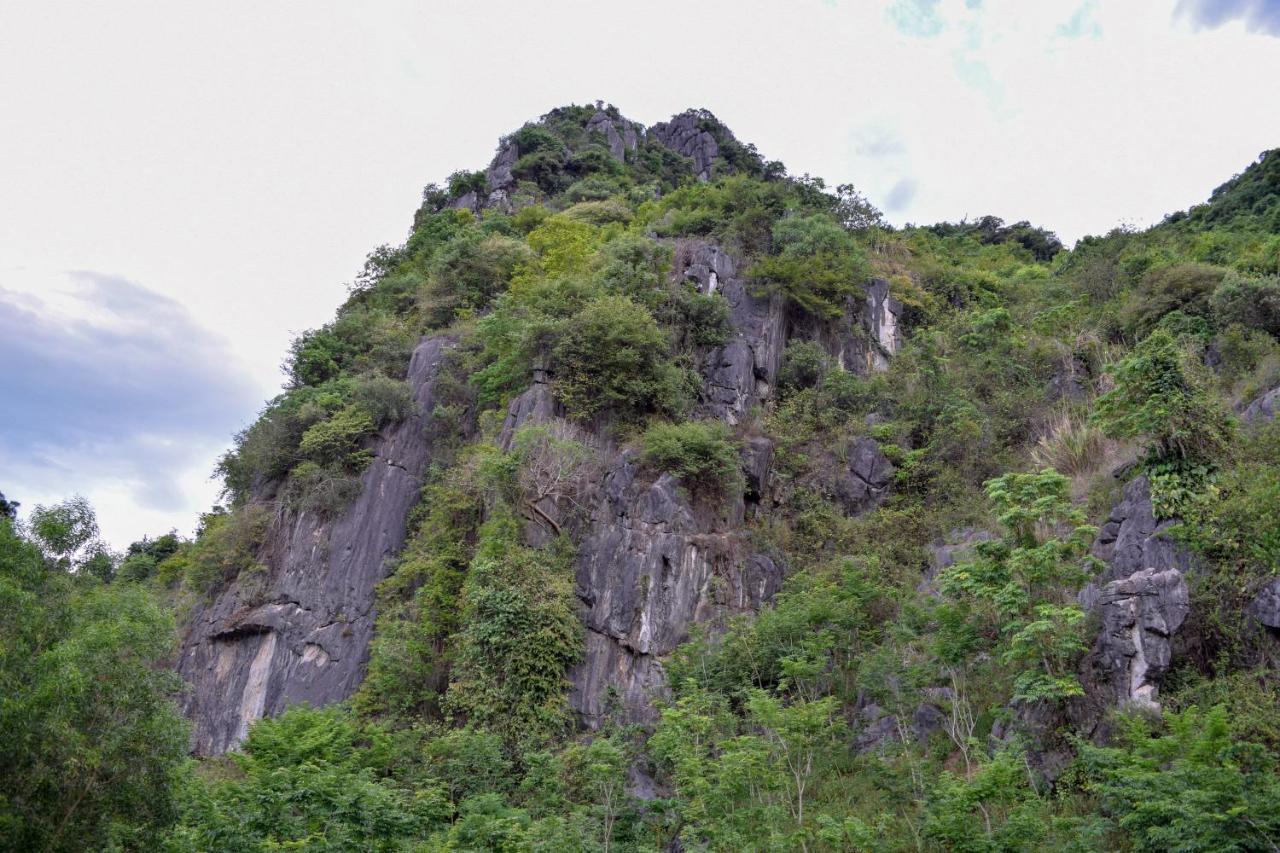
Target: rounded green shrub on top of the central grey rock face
column 701, row 453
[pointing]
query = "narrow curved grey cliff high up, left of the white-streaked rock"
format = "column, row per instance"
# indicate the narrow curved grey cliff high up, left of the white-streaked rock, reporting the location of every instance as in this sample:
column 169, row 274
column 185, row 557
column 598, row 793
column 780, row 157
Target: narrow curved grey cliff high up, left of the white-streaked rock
column 744, row 371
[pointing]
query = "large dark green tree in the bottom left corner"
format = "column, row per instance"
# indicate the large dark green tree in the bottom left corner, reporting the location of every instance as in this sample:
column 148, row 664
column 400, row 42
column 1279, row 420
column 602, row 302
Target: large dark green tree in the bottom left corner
column 93, row 741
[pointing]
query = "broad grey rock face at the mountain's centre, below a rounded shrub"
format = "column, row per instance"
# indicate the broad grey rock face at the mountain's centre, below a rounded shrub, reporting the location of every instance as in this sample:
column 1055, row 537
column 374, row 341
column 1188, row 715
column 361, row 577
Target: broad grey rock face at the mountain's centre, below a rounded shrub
column 647, row 572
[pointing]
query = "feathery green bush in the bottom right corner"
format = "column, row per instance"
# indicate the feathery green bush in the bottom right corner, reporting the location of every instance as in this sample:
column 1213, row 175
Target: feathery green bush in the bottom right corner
column 1190, row 790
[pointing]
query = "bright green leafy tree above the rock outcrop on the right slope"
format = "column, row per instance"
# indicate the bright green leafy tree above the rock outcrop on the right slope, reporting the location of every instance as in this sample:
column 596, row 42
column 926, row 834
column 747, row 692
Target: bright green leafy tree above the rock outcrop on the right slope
column 1162, row 396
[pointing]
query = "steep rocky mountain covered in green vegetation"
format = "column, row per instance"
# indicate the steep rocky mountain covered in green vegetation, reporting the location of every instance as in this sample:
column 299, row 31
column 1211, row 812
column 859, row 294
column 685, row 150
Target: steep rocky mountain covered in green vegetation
column 652, row 498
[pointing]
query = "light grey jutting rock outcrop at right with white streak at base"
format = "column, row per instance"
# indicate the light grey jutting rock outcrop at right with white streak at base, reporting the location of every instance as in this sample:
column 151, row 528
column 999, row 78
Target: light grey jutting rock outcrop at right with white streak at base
column 1140, row 615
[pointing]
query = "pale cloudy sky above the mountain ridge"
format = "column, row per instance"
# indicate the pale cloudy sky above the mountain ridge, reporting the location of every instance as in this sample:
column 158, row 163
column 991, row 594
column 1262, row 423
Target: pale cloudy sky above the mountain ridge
column 186, row 186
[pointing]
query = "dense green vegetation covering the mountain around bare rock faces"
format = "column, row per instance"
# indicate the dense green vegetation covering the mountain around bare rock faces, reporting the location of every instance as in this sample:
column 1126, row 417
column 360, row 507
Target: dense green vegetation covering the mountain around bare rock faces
column 461, row 737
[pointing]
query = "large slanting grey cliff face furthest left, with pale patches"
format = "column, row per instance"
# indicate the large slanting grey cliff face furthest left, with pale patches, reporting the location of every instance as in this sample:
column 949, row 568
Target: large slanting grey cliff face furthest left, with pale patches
column 301, row 633
